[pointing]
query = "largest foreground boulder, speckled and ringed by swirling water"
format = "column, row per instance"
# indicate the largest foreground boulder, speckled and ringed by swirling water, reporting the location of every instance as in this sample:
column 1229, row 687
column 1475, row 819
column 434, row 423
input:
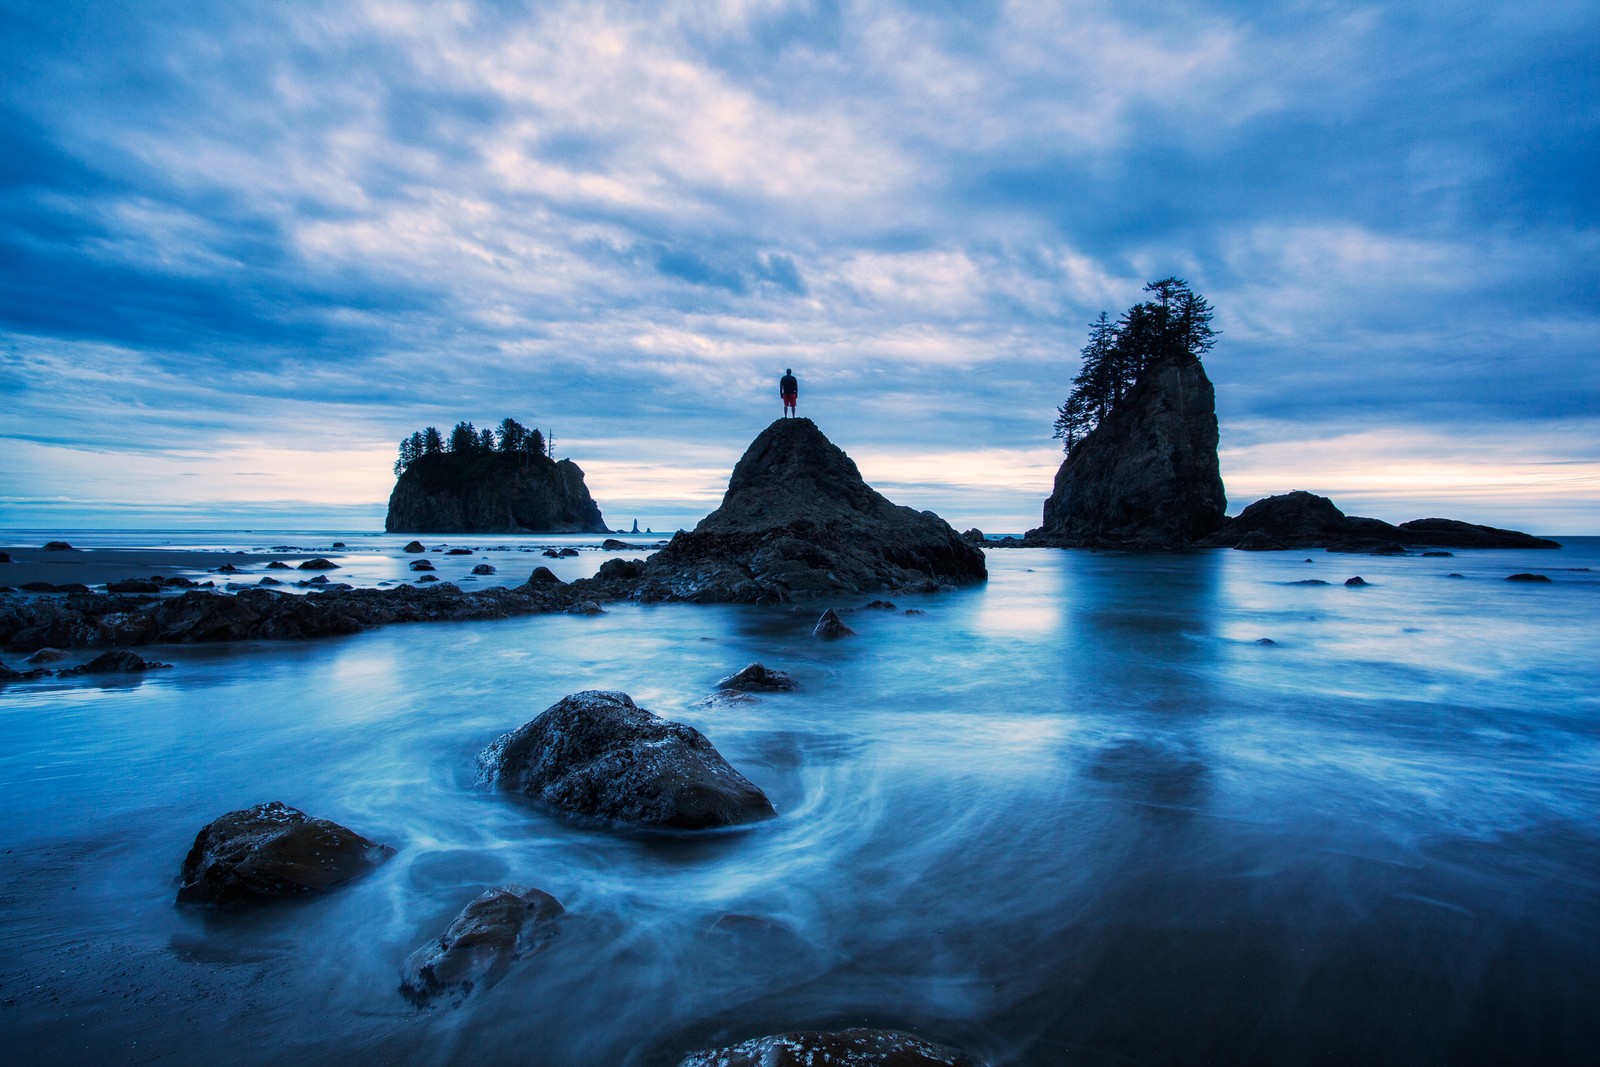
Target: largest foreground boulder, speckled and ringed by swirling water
column 599, row 754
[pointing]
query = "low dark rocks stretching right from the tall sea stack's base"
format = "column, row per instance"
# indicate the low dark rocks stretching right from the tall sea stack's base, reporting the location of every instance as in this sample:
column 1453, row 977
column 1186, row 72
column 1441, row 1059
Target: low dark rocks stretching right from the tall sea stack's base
column 1305, row 521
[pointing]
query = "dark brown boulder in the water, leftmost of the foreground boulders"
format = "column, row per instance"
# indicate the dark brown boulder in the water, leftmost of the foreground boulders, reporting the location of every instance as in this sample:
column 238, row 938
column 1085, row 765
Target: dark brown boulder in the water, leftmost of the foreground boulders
column 273, row 852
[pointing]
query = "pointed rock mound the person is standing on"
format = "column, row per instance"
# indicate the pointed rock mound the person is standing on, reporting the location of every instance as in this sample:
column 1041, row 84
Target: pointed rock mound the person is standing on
column 799, row 519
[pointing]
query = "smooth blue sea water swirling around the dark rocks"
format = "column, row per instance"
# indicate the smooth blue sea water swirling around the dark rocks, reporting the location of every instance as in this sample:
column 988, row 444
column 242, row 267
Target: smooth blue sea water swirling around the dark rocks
column 1076, row 815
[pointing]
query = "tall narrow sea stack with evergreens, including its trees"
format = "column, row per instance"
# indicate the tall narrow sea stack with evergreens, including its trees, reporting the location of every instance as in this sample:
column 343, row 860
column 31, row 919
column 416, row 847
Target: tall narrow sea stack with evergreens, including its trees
column 1142, row 436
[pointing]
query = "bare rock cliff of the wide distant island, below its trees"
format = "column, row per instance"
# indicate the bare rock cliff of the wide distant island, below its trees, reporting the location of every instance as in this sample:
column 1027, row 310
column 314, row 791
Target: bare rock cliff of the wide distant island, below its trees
column 492, row 494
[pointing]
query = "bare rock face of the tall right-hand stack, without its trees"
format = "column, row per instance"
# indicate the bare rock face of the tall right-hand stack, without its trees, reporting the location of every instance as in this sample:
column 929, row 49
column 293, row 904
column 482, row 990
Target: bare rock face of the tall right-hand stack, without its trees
column 1148, row 476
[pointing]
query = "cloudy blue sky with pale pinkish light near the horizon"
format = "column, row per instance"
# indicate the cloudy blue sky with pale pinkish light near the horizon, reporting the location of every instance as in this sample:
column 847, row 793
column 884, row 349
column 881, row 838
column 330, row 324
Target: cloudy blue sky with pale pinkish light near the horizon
column 249, row 247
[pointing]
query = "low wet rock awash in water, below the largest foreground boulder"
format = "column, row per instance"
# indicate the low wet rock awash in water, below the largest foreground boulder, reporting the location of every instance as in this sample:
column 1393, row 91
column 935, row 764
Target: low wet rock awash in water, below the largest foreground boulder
column 490, row 933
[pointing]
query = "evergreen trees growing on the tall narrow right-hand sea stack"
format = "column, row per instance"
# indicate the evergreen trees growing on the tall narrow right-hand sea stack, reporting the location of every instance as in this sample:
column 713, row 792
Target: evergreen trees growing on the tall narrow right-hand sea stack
column 1175, row 324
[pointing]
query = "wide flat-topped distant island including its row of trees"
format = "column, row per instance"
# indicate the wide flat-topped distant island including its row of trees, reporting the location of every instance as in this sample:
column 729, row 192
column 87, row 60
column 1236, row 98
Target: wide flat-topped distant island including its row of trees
column 487, row 482
